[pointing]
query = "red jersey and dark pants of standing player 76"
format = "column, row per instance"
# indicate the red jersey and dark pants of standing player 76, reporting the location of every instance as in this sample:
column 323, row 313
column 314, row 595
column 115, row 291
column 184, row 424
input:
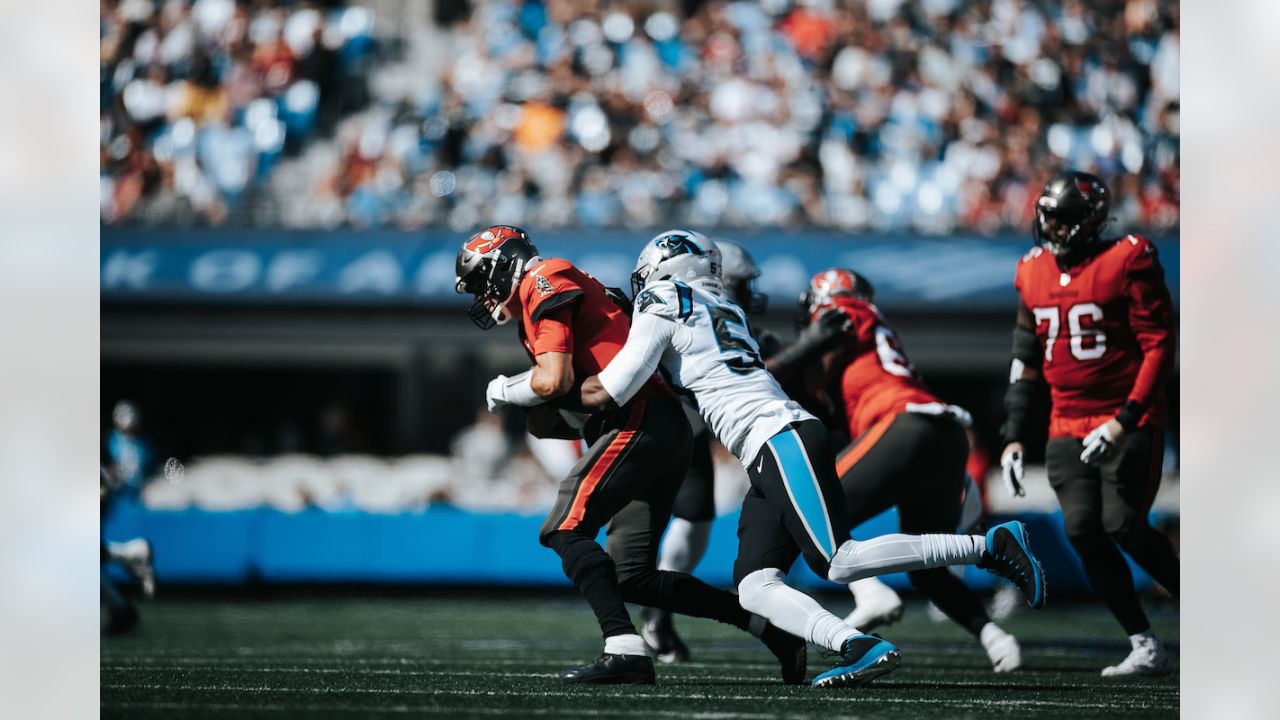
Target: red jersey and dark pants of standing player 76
column 1104, row 331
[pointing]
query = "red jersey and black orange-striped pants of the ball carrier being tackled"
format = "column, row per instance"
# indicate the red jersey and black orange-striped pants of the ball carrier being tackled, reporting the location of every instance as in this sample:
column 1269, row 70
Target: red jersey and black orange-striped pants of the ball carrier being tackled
column 630, row 475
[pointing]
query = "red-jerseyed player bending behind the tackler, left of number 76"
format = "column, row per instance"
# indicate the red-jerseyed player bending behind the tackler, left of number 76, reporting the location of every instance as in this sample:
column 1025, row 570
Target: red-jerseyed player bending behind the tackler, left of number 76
column 909, row 448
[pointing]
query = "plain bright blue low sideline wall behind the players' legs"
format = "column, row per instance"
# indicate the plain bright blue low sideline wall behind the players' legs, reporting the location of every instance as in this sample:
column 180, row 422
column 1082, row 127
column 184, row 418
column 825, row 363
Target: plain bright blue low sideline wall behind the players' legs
column 449, row 546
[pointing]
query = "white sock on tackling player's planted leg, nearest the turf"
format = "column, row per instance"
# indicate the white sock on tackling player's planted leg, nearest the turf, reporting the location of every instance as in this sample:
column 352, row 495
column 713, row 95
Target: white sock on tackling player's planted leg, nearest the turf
column 766, row 594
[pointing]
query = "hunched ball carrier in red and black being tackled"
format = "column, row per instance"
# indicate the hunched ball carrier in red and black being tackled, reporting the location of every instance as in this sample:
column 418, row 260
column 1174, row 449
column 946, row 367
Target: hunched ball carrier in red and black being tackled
column 638, row 455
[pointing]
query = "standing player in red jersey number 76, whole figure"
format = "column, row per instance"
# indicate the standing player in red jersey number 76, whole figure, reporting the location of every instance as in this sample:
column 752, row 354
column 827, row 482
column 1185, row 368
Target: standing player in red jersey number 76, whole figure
column 1096, row 323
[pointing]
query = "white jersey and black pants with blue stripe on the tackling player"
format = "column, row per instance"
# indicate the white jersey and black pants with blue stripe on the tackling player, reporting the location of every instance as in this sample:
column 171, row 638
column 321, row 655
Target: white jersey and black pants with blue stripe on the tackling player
column 702, row 344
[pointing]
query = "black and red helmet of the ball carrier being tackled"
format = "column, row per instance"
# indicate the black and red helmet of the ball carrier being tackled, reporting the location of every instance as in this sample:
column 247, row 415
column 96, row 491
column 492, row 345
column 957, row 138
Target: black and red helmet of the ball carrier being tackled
column 491, row 267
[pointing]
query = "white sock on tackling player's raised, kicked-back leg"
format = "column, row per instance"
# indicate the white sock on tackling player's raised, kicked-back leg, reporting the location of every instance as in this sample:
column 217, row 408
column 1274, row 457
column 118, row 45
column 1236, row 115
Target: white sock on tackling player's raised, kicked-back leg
column 898, row 553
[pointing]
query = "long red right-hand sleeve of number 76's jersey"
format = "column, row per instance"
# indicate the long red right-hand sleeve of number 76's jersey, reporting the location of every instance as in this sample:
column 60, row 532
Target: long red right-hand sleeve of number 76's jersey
column 1151, row 318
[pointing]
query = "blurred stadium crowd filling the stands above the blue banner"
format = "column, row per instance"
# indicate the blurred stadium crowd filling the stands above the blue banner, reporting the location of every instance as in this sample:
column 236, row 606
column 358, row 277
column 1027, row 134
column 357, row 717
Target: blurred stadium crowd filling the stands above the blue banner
column 929, row 116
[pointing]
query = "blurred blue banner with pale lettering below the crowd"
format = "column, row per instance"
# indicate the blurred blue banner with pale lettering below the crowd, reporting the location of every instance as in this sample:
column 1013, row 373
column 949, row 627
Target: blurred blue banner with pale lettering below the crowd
column 940, row 275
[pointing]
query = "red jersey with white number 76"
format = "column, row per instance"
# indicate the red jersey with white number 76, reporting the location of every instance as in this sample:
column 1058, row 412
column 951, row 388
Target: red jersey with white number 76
column 1107, row 329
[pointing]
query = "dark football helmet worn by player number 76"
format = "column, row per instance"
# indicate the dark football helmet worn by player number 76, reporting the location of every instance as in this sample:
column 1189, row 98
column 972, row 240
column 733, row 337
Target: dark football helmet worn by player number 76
column 1071, row 213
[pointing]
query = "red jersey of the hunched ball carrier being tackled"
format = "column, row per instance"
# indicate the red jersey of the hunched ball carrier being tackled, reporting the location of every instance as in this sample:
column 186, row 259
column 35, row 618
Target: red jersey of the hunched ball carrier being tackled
column 593, row 330
